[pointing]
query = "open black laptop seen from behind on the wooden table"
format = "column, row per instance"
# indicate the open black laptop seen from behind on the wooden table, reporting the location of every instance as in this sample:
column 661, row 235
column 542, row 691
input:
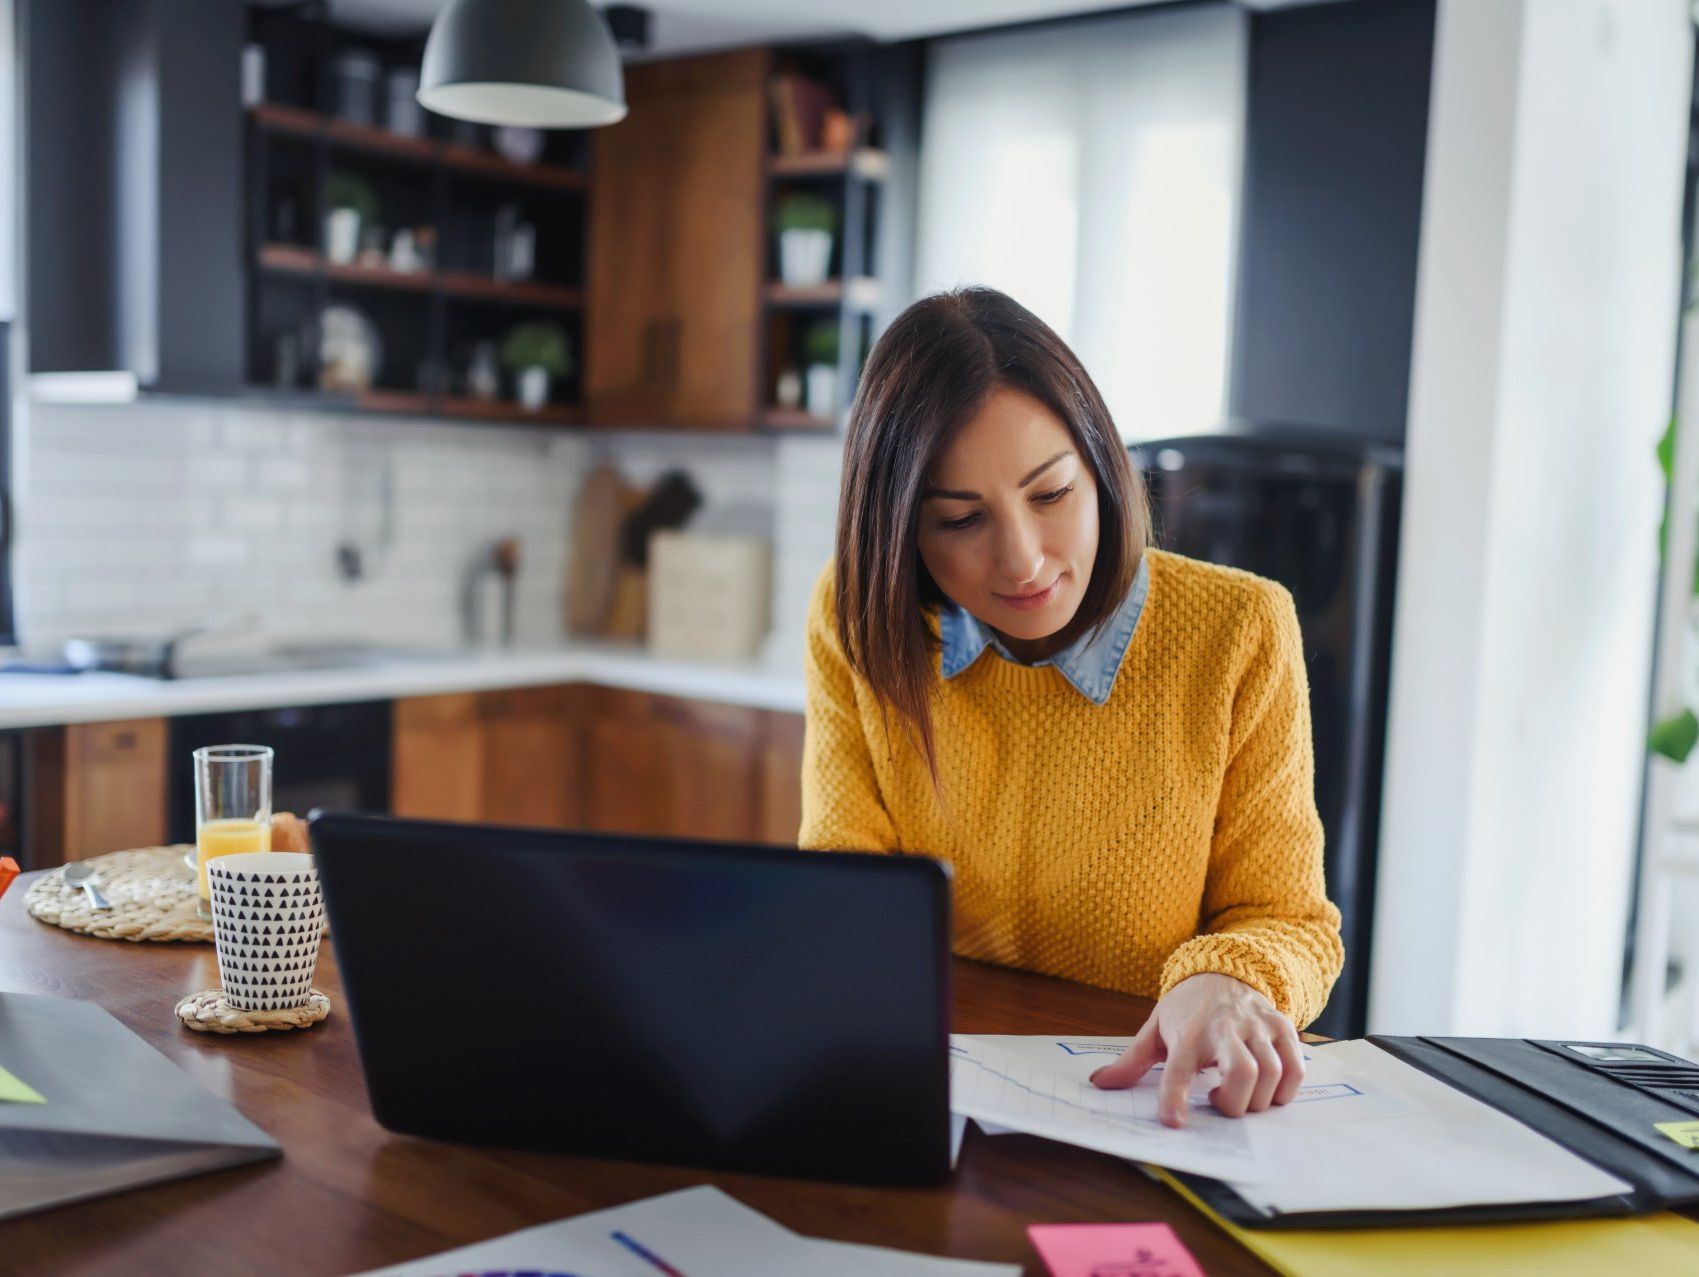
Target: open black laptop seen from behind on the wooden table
column 708, row 1004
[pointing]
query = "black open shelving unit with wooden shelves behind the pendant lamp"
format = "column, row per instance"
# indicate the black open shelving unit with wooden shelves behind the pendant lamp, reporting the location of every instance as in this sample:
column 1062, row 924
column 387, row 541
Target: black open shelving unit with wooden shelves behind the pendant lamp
column 446, row 183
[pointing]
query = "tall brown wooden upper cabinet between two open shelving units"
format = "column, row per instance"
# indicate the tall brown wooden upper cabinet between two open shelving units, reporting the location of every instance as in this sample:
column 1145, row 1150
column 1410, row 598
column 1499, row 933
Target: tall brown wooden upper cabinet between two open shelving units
column 677, row 242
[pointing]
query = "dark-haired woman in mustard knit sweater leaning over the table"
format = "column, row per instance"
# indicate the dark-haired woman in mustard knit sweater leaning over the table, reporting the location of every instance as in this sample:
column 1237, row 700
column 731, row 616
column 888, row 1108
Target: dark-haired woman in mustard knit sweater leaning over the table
column 1110, row 745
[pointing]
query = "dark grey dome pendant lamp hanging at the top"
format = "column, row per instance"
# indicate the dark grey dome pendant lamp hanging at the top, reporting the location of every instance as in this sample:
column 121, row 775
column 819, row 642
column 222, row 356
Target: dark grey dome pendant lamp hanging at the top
column 533, row 64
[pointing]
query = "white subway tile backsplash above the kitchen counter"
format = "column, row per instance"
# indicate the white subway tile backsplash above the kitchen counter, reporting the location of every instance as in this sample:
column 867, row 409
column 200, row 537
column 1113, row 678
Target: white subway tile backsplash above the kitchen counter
column 157, row 515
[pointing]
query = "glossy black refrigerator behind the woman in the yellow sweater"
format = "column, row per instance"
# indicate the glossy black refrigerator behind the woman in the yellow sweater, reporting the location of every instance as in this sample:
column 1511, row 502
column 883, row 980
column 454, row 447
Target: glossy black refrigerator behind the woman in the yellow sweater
column 1319, row 515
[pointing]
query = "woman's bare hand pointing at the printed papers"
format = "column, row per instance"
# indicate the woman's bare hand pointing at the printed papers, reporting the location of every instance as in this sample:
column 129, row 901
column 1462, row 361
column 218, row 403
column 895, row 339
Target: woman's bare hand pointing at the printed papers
column 1214, row 1020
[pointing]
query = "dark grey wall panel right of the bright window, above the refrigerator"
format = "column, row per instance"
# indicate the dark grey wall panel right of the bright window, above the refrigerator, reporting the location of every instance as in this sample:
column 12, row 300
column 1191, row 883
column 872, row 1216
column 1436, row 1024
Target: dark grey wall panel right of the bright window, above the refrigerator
column 1336, row 145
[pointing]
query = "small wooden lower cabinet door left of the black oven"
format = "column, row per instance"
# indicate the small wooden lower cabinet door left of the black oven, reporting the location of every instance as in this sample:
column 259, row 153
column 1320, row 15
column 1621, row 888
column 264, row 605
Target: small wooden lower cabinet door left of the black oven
column 98, row 789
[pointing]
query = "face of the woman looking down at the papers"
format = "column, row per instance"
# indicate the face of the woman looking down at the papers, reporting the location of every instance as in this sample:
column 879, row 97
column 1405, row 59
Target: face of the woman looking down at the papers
column 1010, row 522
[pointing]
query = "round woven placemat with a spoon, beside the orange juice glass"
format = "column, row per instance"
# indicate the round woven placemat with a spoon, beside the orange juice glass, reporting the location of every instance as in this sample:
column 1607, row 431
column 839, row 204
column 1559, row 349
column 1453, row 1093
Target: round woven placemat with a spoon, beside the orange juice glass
column 152, row 894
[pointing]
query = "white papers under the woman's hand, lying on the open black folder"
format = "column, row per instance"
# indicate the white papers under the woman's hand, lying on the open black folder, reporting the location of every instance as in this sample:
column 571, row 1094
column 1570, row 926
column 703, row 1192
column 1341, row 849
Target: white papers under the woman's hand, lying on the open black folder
column 1367, row 1132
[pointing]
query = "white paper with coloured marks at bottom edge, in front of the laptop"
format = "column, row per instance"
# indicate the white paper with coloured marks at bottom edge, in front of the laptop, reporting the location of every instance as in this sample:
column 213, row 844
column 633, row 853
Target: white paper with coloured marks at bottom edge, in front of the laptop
column 699, row 1232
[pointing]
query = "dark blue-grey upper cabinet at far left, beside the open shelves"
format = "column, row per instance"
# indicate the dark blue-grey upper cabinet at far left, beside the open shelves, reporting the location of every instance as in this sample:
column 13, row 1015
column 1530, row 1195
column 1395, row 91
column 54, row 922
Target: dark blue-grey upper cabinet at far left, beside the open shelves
column 133, row 189
